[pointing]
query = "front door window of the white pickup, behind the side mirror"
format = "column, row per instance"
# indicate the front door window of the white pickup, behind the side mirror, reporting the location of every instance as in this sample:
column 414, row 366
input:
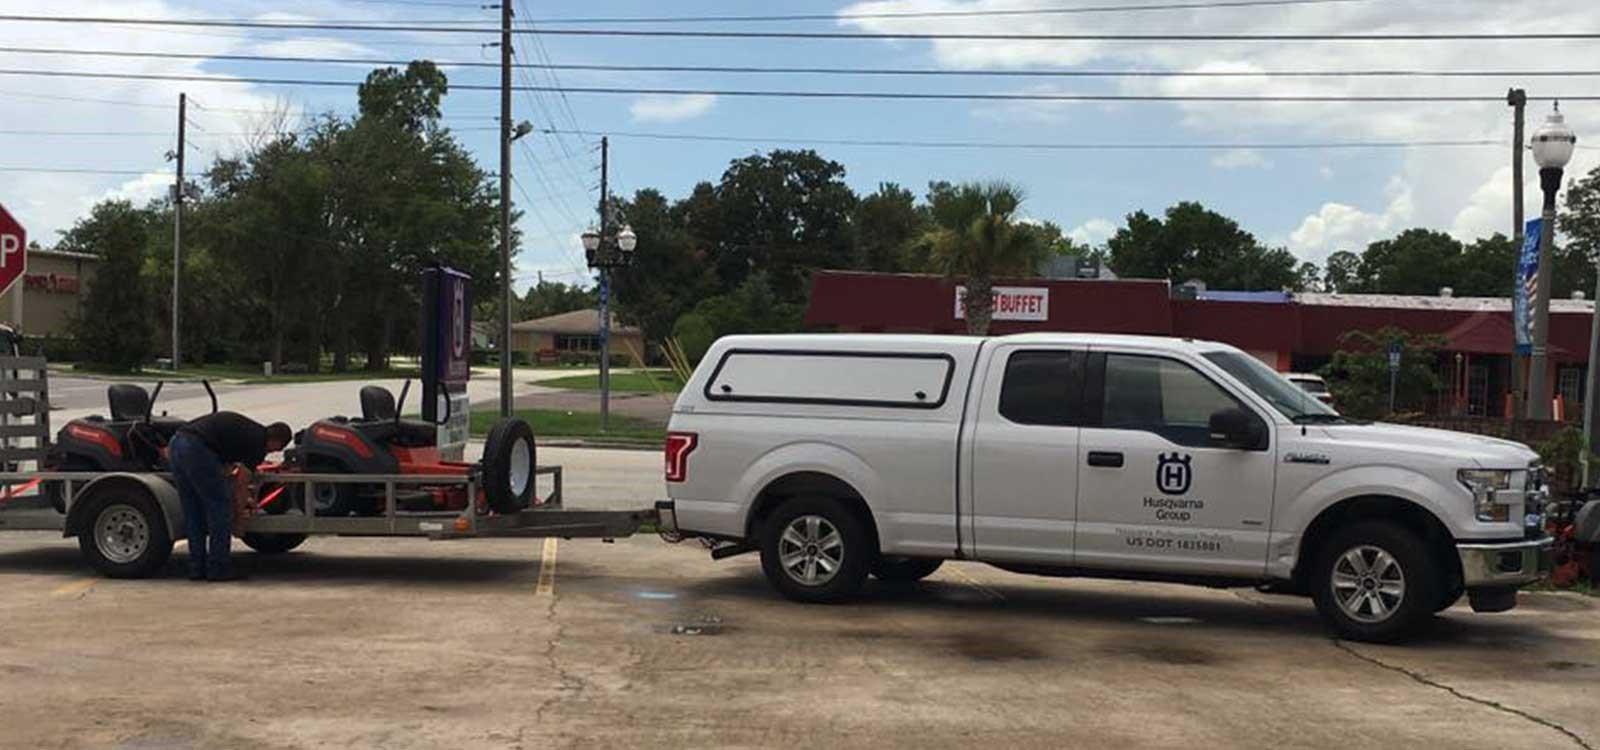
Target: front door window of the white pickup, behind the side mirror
column 1162, row 396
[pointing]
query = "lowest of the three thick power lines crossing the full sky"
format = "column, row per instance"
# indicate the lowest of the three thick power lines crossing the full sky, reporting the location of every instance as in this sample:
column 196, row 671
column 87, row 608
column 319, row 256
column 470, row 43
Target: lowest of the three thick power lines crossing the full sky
column 831, row 95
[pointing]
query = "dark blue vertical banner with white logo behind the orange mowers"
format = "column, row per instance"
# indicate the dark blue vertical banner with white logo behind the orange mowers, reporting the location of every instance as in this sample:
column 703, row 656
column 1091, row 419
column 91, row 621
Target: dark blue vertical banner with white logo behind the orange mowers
column 447, row 357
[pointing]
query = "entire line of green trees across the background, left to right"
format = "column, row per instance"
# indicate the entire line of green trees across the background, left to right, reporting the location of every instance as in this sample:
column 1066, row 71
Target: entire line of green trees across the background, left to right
column 305, row 250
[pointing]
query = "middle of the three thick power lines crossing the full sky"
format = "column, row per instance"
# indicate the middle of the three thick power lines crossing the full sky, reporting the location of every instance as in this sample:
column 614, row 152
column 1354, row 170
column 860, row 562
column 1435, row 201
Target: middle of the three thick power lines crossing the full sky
column 839, row 71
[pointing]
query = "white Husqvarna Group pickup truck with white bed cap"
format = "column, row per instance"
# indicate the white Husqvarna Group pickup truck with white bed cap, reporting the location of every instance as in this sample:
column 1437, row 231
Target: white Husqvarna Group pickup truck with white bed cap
column 839, row 457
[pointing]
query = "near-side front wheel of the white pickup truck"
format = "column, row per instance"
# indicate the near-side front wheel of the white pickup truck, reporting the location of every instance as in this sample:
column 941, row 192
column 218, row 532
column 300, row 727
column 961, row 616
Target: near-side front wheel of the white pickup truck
column 1375, row 583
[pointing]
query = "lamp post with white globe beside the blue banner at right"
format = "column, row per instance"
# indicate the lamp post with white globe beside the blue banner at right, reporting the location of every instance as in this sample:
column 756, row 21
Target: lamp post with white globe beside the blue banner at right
column 1553, row 150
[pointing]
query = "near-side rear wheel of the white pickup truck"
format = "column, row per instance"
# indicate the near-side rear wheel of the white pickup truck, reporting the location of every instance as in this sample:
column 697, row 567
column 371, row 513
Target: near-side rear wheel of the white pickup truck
column 817, row 551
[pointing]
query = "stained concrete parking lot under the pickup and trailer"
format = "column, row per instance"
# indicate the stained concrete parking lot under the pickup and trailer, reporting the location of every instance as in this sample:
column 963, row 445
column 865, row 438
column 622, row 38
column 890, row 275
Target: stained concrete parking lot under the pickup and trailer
column 535, row 645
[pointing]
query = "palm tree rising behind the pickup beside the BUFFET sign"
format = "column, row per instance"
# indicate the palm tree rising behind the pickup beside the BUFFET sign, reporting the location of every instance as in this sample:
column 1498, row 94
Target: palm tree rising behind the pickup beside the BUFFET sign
column 977, row 237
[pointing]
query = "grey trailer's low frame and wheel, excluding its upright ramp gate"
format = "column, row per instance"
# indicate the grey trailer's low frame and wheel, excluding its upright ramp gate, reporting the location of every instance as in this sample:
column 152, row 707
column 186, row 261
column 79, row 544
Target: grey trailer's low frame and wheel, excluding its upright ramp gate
column 127, row 524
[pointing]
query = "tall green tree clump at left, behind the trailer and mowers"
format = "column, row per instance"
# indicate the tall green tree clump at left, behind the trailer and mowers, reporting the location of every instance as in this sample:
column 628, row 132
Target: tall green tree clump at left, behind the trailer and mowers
column 306, row 249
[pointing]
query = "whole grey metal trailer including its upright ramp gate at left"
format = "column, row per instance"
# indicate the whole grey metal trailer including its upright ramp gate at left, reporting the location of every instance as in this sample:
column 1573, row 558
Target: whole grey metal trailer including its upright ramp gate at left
column 129, row 522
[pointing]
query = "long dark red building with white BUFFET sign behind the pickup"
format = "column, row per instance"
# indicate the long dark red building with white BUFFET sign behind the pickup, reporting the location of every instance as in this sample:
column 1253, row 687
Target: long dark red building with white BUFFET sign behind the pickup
column 1289, row 332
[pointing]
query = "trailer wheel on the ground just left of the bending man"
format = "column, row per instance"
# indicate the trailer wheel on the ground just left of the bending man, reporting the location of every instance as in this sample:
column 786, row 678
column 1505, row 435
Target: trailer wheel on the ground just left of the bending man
column 126, row 533
